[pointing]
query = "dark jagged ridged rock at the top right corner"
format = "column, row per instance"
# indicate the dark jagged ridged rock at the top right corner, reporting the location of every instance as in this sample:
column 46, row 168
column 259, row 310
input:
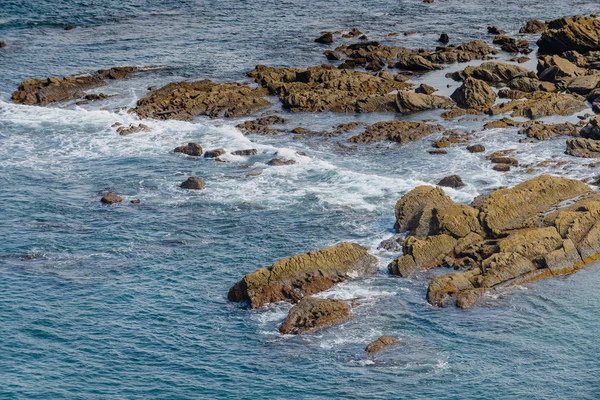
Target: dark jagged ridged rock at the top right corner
column 570, row 33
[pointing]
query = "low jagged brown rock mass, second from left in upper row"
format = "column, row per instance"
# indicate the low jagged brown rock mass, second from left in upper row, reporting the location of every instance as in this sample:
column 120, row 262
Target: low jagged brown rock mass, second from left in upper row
column 186, row 100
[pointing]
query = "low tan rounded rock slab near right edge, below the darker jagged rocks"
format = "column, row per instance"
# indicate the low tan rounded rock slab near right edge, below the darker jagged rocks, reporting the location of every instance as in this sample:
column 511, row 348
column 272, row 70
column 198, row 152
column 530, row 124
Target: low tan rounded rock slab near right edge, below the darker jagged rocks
column 542, row 104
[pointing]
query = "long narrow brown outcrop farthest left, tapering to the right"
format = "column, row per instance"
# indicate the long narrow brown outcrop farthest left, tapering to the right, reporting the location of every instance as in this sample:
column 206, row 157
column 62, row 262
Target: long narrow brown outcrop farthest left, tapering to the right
column 54, row 89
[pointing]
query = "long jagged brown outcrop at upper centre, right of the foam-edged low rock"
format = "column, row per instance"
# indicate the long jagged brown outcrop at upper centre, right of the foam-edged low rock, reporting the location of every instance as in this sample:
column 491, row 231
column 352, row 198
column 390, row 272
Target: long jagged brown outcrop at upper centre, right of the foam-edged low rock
column 325, row 88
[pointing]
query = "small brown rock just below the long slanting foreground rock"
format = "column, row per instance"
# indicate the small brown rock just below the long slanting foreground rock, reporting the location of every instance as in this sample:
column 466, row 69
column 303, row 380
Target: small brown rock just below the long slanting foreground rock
column 312, row 314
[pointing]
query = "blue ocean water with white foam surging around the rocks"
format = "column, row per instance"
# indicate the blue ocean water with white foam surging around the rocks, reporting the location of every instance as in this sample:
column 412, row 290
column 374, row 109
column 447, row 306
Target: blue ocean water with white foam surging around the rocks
column 129, row 301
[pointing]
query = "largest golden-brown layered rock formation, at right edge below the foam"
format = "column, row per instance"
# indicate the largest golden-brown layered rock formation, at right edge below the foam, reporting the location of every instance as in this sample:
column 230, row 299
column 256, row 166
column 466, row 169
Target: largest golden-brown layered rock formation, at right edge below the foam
column 540, row 228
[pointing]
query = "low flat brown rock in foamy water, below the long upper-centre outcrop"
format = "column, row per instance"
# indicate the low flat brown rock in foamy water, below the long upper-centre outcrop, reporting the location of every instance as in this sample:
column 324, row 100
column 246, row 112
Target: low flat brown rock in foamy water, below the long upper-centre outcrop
column 399, row 131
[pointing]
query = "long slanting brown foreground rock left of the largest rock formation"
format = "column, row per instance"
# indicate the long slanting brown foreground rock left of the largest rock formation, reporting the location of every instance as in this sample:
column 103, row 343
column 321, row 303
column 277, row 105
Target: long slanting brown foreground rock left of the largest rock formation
column 292, row 278
